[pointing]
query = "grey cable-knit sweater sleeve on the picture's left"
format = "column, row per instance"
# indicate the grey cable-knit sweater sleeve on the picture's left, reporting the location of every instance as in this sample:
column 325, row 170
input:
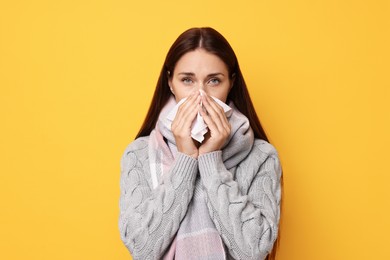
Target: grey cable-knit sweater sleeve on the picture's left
column 149, row 218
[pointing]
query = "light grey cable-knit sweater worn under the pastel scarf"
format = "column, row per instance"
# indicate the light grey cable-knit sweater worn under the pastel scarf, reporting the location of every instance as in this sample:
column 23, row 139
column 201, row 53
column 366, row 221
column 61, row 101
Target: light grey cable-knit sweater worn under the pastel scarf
column 243, row 202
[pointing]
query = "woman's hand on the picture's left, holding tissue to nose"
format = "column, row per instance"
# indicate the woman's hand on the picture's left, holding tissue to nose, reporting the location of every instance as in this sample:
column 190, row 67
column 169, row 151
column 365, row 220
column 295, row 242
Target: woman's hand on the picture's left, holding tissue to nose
column 181, row 125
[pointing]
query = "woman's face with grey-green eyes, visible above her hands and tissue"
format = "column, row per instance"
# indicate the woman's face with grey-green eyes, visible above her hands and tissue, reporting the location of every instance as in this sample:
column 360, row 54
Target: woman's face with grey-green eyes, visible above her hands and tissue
column 200, row 69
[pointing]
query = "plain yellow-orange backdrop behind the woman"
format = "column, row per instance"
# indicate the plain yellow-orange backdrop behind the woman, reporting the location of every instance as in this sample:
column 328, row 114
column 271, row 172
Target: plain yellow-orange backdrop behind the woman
column 76, row 79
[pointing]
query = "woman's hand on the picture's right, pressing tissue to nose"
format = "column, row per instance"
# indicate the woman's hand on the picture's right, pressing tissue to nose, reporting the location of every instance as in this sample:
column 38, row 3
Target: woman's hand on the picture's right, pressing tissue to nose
column 219, row 127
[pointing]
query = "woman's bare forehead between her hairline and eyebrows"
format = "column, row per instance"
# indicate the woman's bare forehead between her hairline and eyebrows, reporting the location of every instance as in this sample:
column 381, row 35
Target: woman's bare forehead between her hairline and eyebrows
column 200, row 61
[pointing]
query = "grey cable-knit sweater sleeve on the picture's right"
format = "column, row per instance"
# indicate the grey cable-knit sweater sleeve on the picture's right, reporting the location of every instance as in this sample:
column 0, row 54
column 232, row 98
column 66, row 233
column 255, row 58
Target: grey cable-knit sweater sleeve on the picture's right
column 245, row 212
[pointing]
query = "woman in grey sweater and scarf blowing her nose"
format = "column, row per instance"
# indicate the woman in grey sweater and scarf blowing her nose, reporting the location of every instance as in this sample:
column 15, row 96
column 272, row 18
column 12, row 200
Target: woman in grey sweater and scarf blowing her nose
column 216, row 198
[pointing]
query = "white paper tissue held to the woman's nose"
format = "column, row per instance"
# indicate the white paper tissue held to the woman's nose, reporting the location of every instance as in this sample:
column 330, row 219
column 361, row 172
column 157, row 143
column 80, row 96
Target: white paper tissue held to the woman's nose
column 198, row 127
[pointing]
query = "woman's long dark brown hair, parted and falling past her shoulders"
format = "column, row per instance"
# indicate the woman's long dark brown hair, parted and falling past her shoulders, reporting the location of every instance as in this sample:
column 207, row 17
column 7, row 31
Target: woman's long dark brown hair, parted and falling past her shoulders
column 212, row 41
